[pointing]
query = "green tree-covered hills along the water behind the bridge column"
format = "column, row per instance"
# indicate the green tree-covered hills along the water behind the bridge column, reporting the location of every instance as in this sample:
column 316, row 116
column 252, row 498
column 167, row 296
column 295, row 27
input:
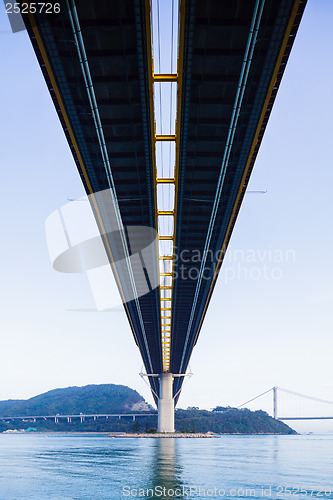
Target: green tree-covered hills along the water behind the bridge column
column 119, row 399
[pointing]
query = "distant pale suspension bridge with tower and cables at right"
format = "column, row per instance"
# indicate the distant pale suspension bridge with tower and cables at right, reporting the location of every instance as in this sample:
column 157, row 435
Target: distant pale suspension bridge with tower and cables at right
column 290, row 405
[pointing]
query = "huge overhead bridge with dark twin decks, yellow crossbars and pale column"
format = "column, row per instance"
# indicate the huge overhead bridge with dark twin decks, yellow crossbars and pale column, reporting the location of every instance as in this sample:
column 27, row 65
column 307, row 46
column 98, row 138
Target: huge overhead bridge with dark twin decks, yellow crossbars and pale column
column 164, row 110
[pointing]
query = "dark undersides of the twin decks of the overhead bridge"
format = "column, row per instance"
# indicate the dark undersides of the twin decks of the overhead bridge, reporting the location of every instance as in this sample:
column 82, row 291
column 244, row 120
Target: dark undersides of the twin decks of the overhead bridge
column 233, row 57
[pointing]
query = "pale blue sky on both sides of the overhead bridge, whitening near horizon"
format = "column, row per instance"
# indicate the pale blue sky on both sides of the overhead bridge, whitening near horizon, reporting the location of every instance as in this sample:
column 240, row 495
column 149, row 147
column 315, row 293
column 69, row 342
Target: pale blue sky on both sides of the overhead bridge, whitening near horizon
column 258, row 332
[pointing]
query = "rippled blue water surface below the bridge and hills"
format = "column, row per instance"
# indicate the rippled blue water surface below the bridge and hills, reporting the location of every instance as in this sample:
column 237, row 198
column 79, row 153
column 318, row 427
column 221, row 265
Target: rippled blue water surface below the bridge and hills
column 95, row 467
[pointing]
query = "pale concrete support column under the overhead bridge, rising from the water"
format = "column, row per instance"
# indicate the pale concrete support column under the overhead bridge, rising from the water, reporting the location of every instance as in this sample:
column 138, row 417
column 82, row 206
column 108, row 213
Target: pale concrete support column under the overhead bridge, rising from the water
column 166, row 404
